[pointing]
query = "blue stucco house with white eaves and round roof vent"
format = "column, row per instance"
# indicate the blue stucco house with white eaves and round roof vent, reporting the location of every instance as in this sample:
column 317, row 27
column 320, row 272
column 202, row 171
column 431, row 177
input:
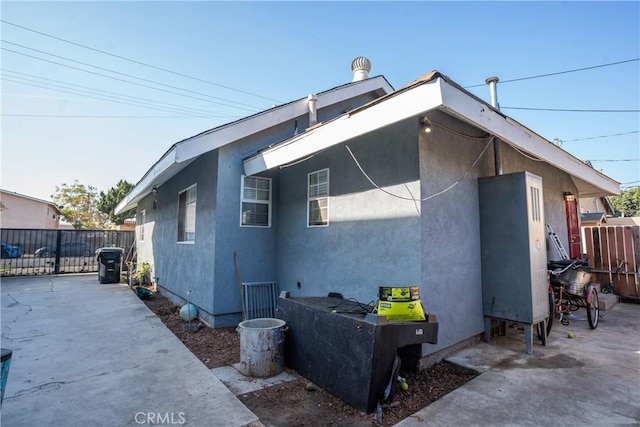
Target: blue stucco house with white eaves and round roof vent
column 364, row 198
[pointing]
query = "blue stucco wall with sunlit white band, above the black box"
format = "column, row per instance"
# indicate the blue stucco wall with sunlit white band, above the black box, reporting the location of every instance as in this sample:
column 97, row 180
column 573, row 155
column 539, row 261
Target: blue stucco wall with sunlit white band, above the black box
column 372, row 238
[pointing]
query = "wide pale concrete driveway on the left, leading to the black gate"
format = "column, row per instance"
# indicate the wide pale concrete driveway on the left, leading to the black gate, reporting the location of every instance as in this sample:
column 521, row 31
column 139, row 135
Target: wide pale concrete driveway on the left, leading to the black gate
column 86, row 354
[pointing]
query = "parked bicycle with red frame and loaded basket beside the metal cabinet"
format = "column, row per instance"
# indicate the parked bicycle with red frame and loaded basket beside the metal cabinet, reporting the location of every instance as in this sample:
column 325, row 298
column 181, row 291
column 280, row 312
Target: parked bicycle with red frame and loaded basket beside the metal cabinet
column 569, row 289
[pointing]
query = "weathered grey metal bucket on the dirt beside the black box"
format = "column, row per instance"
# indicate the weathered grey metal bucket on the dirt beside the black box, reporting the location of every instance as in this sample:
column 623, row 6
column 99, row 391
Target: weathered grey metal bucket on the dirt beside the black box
column 261, row 347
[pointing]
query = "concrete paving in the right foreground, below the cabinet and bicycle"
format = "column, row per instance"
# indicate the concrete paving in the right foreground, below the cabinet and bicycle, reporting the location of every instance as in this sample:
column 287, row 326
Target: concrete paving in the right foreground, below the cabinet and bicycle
column 590, row 380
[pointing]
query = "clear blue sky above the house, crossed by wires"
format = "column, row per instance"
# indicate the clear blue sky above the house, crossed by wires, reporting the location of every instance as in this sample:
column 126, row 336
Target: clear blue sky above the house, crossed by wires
column 253, row 55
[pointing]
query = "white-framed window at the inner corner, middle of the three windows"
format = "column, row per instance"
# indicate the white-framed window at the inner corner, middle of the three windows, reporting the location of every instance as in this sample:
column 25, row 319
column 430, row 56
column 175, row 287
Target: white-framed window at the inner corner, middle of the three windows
column 256, row 202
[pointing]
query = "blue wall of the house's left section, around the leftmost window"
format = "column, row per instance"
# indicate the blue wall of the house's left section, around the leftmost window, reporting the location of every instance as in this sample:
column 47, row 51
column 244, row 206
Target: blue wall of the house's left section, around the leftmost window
column 206, row 267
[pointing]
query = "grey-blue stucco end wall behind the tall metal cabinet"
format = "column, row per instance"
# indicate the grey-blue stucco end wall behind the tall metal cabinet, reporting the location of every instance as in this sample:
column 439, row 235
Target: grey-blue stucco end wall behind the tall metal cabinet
column 451, row 278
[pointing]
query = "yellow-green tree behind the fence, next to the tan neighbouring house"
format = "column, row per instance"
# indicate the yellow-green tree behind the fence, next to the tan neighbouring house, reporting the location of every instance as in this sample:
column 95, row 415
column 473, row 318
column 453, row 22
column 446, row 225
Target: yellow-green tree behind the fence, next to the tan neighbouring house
column 78, row 204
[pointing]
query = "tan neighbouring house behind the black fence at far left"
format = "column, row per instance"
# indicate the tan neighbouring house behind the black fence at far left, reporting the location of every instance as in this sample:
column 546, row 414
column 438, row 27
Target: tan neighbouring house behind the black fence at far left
column 20, row 211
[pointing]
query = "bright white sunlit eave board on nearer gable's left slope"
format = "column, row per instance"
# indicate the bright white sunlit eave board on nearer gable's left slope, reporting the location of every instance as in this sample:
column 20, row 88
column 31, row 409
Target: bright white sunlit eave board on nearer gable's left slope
column 396, row 108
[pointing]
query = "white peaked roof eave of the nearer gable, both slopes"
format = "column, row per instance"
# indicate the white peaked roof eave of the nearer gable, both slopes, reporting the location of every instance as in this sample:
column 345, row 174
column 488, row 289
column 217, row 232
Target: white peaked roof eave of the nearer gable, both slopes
column 432, row 93
